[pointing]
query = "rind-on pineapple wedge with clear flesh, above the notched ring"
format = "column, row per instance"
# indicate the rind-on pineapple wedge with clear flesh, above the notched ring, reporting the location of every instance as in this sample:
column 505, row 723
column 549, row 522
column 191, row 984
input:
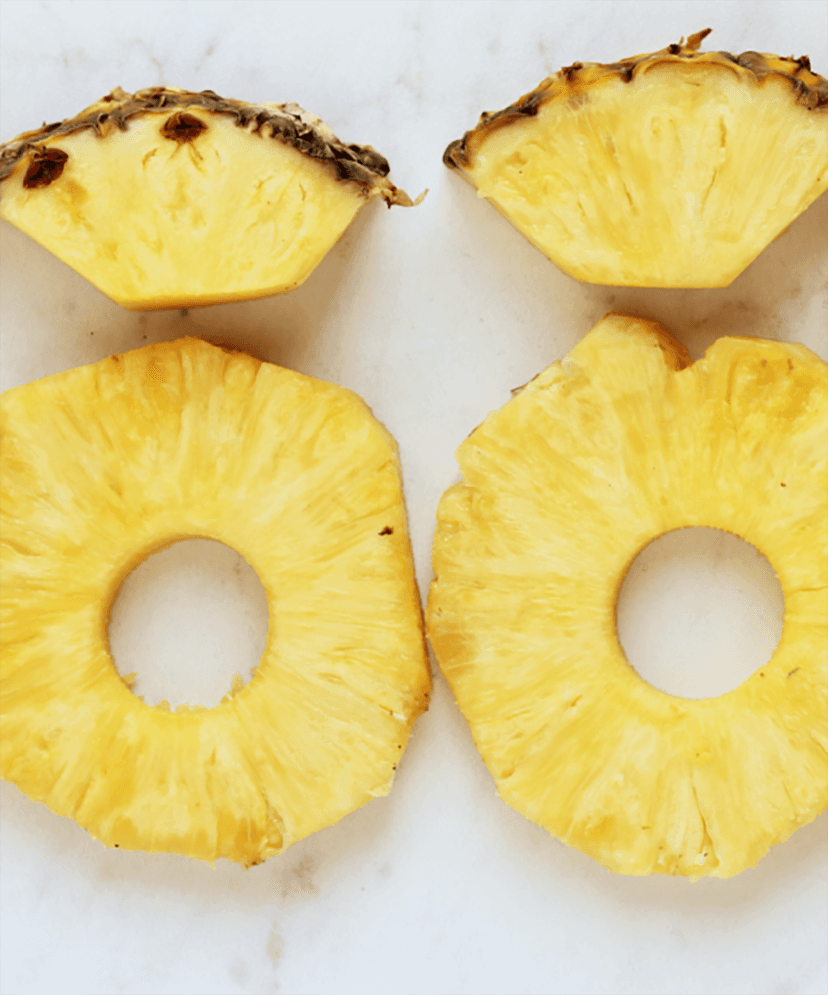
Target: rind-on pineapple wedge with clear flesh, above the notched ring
column 673, row 169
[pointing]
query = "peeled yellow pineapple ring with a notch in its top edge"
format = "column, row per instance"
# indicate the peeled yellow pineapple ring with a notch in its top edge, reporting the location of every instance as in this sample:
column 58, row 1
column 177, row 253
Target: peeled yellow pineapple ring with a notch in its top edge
column 623, row 441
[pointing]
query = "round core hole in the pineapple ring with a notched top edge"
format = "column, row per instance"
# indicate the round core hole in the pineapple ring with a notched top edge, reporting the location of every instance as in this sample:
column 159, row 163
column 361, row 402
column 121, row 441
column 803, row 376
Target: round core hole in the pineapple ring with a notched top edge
column 699, row 612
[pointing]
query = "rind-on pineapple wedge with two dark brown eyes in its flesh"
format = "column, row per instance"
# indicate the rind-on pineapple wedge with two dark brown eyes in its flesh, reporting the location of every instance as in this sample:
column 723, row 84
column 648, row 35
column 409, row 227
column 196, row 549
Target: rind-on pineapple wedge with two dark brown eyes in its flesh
column 166, row 198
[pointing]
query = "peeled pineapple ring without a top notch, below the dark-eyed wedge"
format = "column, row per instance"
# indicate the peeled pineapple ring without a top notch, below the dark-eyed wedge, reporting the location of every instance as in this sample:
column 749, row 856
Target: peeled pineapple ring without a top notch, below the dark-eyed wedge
column 107, row 463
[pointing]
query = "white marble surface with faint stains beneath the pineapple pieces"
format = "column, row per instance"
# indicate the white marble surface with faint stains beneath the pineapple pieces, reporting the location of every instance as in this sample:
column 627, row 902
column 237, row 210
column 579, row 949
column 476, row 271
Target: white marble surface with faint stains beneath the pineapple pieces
column 432, row 315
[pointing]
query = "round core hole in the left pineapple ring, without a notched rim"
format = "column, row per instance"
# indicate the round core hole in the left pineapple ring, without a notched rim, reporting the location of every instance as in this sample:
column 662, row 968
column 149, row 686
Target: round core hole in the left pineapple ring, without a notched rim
column 186, row 621
